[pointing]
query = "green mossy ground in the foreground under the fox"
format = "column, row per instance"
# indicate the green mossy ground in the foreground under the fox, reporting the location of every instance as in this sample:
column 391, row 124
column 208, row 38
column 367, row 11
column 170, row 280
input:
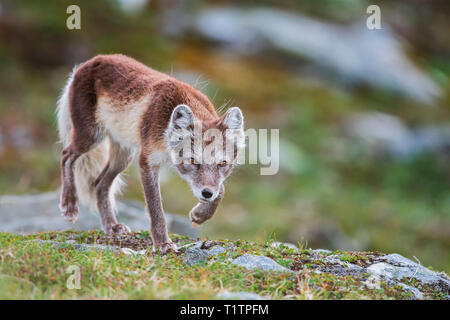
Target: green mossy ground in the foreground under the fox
column 32, row 270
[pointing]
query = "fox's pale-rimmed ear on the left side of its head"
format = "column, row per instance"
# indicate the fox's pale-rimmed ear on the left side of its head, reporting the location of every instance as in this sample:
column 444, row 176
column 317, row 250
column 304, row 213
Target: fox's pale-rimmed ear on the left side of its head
column 179, row 126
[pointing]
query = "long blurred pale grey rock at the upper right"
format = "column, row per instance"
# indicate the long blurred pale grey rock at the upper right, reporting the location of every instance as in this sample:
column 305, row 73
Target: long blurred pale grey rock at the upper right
column 351, row 52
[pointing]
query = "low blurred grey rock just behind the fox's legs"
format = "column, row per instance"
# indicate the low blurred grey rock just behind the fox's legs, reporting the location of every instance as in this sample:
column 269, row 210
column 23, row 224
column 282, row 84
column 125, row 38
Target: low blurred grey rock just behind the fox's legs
column 39, row 212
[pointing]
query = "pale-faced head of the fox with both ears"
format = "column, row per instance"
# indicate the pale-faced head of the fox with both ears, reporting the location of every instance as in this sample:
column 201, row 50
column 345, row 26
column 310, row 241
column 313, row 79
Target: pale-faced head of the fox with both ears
column 205, row 152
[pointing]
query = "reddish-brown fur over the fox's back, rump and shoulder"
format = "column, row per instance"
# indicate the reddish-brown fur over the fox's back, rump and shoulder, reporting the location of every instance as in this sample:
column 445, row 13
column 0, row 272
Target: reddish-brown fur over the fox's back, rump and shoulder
column 124, row 79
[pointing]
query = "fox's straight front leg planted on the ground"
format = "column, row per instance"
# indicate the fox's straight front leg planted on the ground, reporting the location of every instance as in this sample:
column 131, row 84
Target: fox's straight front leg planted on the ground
column 158, row 225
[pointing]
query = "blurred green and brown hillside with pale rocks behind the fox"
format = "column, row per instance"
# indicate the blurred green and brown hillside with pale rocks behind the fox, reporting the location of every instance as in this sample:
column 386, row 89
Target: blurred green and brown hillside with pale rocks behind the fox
column 363, row 114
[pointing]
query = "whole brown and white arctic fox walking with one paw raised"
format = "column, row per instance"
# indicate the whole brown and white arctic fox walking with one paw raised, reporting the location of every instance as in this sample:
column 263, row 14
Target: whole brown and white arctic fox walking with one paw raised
column 113, row 108
